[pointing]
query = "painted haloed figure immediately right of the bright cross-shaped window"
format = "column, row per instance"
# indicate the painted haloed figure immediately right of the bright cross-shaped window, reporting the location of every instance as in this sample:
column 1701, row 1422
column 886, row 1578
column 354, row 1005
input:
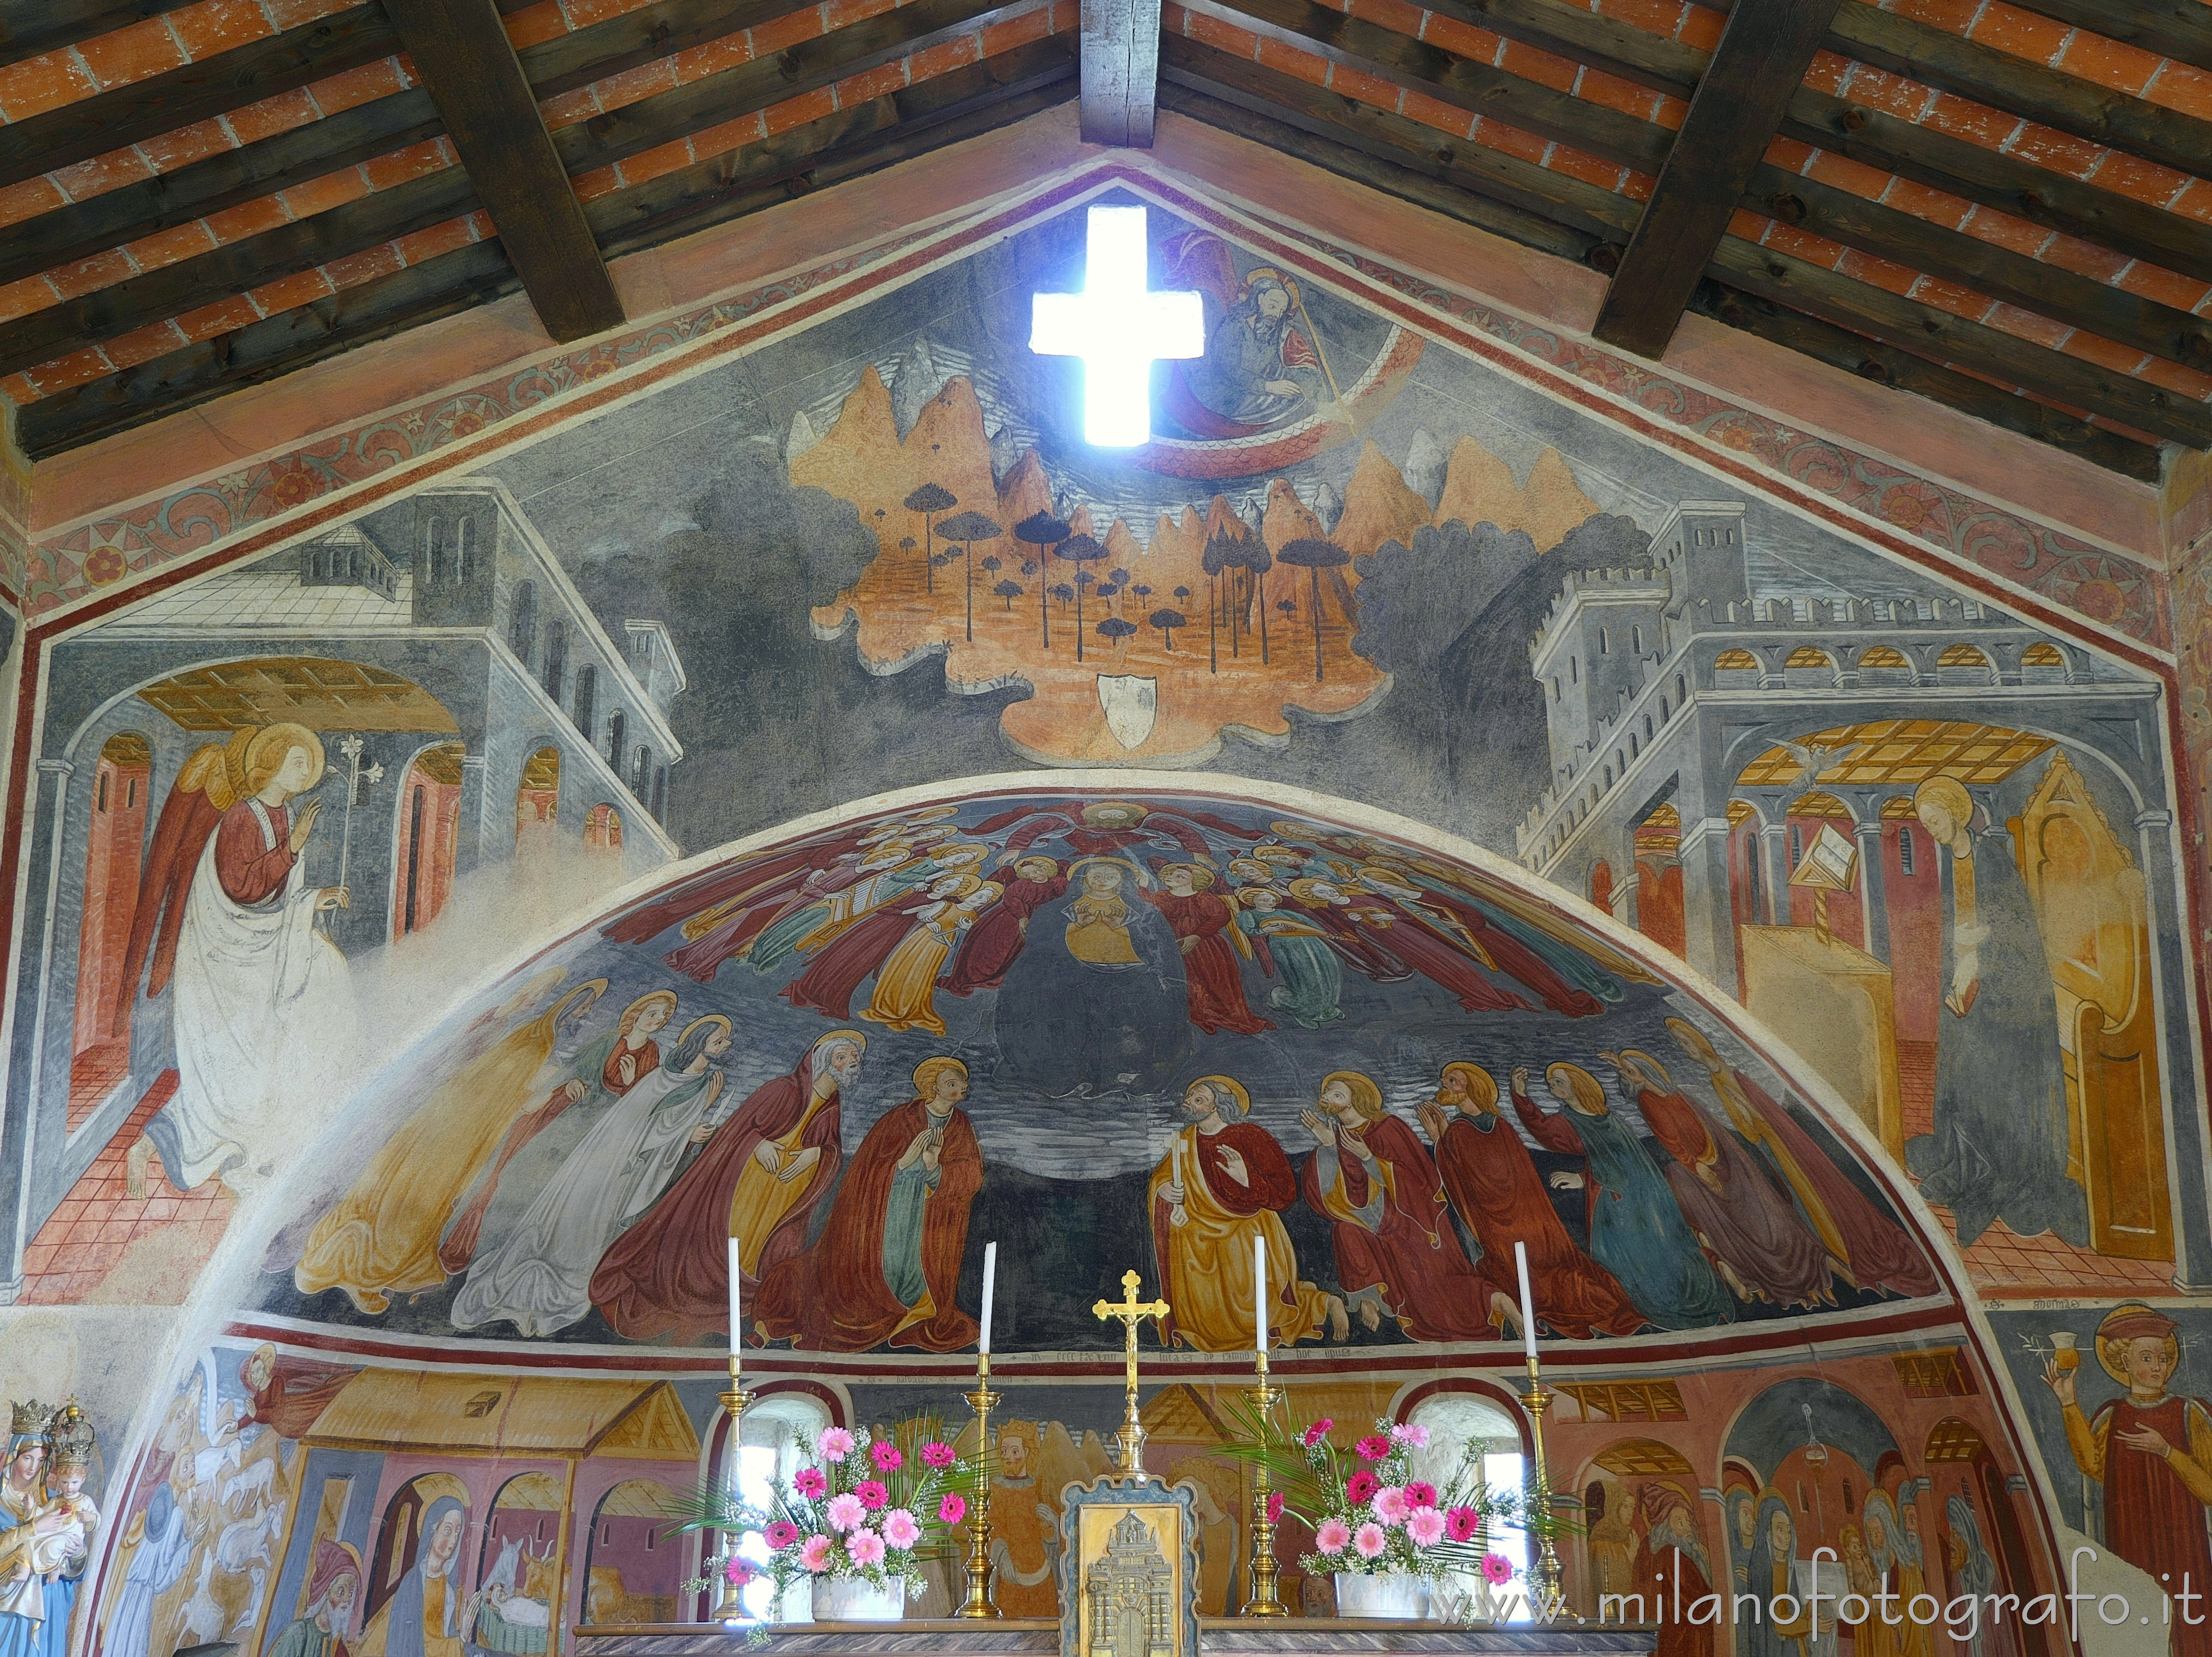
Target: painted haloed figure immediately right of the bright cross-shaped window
column 1262, row 364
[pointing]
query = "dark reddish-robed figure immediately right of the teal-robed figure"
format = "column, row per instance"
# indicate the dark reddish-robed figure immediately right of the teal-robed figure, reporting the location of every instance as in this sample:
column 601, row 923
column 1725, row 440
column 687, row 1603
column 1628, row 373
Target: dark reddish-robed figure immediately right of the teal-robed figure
column 1751, row 1231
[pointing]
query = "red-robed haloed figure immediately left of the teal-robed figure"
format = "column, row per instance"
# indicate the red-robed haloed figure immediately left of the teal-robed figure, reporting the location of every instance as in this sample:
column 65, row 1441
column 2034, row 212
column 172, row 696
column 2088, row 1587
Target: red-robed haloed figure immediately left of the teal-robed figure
column 1501, row 1196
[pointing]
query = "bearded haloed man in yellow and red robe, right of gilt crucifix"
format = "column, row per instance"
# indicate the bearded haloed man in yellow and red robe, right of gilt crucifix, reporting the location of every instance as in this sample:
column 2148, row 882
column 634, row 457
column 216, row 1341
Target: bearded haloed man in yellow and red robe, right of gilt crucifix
column 1222, row 1185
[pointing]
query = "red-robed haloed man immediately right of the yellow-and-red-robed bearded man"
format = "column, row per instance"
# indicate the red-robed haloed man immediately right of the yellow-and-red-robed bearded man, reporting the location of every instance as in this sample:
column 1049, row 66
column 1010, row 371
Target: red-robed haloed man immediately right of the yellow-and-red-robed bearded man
column 1397, row 1253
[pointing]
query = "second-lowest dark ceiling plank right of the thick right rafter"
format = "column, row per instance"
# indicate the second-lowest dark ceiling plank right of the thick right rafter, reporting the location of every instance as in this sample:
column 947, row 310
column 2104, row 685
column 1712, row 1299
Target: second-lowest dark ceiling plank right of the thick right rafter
column 1943, row 337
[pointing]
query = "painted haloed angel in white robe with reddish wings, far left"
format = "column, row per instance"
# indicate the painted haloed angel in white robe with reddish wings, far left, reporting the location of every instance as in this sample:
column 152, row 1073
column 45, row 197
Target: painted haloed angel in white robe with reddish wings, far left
column 238, row 937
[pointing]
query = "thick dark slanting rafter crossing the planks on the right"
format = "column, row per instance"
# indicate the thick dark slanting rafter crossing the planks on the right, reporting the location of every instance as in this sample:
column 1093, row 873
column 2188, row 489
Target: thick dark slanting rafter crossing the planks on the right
column 1764, row 54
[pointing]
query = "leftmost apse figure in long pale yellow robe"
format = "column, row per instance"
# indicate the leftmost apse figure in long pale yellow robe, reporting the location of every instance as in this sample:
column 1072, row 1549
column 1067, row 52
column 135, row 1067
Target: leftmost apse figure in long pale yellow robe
column 382, row 1238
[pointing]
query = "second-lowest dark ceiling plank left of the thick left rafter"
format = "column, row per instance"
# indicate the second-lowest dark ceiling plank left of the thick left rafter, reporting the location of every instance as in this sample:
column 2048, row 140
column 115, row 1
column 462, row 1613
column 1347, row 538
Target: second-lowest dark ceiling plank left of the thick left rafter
column 251, row 262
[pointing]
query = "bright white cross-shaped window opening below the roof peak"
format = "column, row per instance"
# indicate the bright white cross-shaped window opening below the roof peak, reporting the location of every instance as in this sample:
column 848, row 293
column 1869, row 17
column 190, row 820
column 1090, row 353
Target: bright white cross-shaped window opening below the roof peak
column 1118, row 329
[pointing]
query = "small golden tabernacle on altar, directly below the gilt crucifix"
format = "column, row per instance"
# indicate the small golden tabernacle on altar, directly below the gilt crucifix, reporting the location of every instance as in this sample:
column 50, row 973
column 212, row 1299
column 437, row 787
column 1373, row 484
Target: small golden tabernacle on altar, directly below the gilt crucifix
column 1129, row 1570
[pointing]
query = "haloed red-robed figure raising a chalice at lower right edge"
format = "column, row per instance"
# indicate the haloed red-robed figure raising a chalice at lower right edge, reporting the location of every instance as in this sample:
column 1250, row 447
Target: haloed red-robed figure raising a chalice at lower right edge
column 2153, row 1455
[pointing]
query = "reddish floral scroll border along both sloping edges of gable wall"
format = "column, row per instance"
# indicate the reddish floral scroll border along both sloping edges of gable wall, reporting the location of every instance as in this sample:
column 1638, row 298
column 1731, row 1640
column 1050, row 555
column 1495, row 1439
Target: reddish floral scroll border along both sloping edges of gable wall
column 2100, row 585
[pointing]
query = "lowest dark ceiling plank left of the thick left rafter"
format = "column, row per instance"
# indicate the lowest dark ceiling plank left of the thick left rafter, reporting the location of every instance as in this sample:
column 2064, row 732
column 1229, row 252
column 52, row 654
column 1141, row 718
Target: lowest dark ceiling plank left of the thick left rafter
column 269, row 348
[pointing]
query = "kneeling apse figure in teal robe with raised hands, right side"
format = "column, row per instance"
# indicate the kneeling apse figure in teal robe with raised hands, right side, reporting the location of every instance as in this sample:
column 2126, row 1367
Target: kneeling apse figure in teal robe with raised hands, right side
column 1638, row 1231
